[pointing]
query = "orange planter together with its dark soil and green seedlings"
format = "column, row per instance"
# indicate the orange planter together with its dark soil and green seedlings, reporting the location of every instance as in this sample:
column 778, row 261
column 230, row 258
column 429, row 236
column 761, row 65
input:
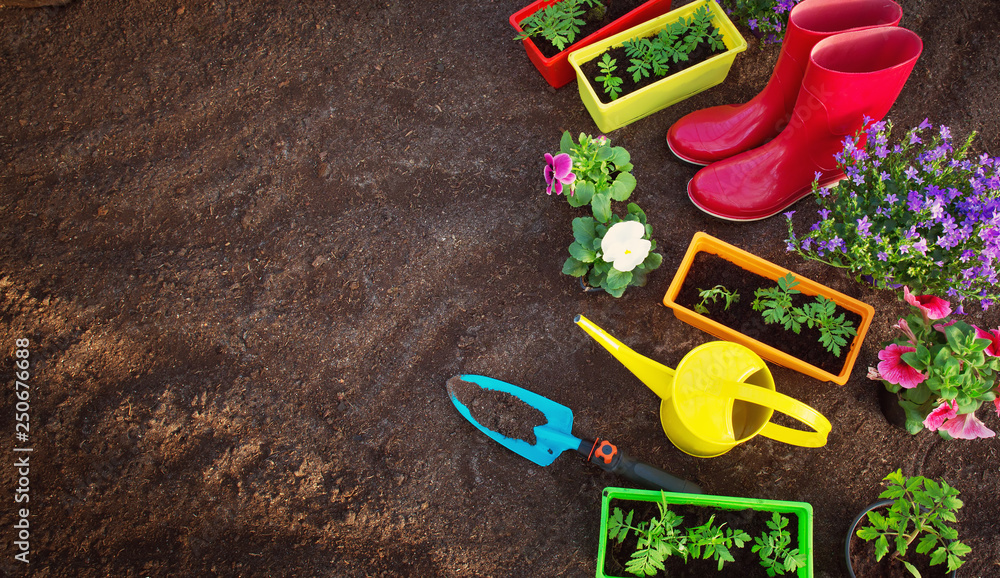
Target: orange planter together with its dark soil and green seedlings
column 792, row 321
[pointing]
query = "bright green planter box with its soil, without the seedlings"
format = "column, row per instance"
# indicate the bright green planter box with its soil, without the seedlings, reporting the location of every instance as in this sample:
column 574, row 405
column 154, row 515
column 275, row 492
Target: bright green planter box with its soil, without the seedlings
column 743, row 510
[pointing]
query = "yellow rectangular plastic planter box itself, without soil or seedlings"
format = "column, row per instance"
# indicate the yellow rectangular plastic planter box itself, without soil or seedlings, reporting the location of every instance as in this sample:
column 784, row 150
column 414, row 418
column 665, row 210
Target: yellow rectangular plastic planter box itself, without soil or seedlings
column 666, row 91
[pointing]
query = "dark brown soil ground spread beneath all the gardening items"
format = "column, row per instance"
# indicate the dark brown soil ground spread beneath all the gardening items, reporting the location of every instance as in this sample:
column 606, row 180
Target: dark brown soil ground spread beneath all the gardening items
column 249, row 242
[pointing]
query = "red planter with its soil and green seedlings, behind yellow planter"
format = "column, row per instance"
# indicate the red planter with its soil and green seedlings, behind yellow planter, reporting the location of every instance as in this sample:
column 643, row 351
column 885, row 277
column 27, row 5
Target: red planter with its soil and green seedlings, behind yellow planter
column 551, row 29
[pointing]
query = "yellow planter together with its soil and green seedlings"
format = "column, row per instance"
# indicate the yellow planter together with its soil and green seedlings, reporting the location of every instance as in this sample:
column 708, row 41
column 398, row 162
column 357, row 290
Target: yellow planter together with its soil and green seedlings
column 658, row 63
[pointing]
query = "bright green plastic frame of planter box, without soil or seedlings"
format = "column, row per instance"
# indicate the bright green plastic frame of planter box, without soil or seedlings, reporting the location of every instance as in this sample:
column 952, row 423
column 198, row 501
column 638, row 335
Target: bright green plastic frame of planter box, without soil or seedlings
column 802, row 511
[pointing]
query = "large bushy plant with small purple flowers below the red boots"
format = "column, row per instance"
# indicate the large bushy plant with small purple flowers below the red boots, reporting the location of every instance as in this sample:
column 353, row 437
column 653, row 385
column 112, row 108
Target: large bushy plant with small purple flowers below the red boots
column 915, row 211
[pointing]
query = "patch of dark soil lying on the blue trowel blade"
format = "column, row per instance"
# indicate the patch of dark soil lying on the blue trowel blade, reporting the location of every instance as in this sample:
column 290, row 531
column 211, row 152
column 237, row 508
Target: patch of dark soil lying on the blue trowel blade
column 498, row 411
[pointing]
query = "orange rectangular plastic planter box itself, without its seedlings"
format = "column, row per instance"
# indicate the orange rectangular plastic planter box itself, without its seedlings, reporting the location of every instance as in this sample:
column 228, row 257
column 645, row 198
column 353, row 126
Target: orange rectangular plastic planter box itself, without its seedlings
column 704, row 243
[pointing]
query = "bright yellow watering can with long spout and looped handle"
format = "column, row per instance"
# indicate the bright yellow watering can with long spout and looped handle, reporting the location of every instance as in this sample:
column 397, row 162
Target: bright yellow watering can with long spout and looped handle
column 720, row 395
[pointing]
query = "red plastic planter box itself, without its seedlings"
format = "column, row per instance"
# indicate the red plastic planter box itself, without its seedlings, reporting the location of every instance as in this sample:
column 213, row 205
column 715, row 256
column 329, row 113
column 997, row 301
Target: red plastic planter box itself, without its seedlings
column 556, row 69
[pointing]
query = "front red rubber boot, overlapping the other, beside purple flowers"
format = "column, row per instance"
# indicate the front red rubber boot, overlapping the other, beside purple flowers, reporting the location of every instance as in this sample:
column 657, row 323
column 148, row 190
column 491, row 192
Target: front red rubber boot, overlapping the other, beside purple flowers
column 850, row 76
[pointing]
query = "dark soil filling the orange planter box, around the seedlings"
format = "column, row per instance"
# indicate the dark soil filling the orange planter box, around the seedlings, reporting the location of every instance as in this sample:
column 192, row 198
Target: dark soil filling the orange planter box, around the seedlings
column 708, row 270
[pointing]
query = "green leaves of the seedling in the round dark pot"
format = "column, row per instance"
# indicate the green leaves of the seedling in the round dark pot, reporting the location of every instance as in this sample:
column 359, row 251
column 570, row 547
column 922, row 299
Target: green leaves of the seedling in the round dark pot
column 922, row 509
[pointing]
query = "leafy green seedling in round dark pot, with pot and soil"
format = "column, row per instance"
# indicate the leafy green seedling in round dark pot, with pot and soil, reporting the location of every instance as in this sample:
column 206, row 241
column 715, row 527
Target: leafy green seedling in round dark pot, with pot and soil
column 913, row 517
